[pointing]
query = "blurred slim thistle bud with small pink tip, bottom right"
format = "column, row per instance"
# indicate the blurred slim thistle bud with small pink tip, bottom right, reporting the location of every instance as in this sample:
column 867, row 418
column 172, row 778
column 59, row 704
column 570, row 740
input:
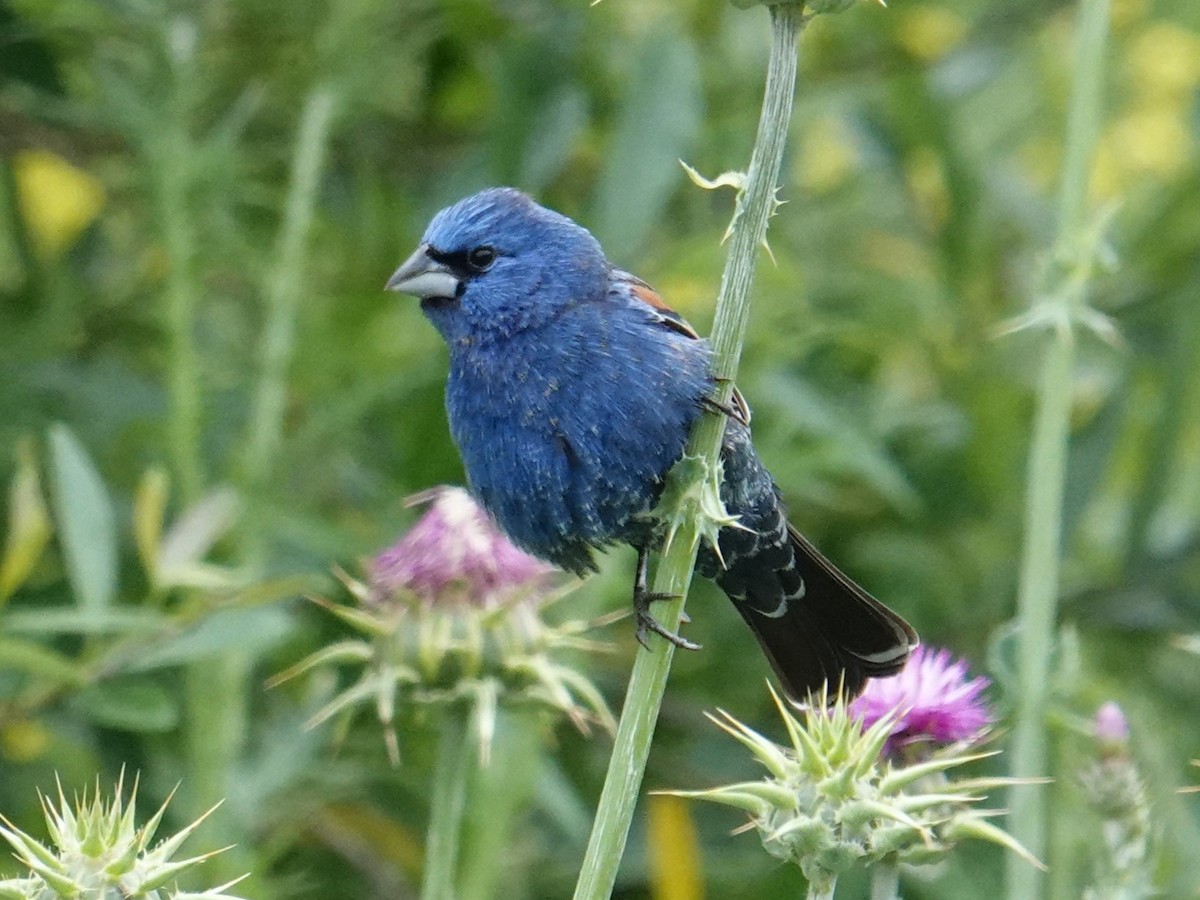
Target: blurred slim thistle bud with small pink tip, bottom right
column 1115, row 790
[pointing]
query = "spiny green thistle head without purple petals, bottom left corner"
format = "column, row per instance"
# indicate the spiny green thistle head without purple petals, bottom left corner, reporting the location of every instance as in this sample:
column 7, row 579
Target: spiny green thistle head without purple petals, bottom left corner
column 99, row 853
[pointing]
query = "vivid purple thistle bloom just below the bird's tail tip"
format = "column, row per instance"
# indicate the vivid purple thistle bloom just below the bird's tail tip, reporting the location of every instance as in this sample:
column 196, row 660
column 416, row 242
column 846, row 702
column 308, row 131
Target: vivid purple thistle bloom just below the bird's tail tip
column 933, row 700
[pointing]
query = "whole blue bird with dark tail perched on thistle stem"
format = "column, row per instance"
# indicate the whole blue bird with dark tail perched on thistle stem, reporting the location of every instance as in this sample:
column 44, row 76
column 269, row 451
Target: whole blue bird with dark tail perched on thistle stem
column 573, row 389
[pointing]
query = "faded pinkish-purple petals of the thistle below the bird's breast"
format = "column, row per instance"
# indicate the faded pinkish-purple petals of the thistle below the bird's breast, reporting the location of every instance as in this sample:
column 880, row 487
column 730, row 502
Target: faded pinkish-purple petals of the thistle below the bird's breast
column 454, row 553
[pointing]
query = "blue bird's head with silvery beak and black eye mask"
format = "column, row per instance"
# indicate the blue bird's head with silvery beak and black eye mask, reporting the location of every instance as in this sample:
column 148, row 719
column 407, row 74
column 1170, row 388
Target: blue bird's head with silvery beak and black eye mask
column 496, row 265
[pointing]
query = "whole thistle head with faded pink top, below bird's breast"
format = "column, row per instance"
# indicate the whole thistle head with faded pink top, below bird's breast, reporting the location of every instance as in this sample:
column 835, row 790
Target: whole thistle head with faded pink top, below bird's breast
column 452, row 615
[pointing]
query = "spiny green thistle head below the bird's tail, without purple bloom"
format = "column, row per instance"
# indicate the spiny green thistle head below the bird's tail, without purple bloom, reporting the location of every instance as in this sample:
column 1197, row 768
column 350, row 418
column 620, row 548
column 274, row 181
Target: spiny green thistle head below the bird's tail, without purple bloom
column 832, row 800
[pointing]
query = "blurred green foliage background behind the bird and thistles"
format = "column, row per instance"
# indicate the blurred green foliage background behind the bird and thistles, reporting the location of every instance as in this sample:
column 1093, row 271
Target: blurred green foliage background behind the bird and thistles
column 146, row 166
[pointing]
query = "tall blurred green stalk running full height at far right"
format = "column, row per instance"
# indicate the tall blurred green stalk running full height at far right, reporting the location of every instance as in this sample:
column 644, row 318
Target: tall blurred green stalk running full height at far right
column 1065, row 295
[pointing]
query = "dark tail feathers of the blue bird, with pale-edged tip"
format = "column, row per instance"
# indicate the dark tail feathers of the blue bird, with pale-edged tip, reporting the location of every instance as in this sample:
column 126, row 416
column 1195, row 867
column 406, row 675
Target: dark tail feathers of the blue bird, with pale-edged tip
column 817, row 627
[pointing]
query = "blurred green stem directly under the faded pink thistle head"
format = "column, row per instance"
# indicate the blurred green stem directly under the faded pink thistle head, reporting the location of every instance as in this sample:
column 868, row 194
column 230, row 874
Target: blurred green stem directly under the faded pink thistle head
column 454, row 767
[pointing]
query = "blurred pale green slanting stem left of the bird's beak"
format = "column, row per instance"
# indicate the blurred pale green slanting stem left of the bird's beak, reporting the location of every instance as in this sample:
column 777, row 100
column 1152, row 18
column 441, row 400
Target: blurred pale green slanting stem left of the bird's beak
column 284, row 286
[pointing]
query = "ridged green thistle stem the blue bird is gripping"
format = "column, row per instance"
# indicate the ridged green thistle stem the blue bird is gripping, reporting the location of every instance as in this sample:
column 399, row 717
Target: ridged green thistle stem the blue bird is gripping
column 647, row 683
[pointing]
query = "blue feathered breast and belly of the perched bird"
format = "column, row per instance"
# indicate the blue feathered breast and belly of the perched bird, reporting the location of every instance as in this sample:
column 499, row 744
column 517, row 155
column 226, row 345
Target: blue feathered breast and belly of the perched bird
column 568, row 431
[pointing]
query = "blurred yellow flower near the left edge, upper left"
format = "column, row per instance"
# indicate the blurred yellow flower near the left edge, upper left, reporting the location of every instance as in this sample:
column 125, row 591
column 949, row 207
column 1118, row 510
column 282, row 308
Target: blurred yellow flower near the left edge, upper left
column 57, row 200
